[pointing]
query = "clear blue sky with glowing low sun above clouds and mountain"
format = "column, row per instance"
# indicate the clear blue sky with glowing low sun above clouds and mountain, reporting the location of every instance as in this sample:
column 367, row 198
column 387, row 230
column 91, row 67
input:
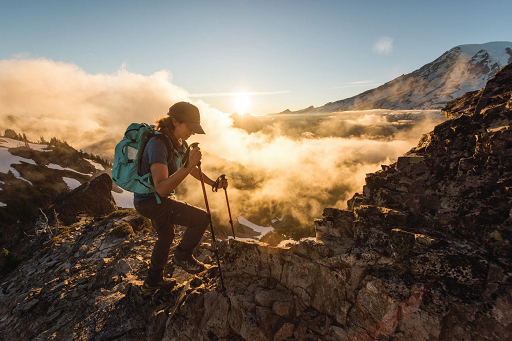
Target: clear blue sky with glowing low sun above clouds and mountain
column 287, row 54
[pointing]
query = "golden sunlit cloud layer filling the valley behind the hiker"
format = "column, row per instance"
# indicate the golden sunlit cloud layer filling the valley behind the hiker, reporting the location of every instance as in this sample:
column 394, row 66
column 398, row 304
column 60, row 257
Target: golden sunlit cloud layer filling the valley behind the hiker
column 272, row 173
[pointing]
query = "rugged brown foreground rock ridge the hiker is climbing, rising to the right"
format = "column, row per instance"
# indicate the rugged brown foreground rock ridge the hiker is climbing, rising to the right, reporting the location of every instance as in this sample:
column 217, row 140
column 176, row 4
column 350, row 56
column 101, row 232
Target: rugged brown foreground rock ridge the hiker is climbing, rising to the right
column 423, row 253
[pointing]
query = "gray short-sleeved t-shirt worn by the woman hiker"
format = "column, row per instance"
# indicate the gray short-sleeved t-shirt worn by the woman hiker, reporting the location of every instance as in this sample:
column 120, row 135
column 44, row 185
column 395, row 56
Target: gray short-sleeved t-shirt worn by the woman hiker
column 156, row 152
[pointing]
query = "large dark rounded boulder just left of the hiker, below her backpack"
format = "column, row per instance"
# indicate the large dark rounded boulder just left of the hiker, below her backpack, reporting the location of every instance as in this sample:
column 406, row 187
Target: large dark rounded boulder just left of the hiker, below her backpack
column 92, row 198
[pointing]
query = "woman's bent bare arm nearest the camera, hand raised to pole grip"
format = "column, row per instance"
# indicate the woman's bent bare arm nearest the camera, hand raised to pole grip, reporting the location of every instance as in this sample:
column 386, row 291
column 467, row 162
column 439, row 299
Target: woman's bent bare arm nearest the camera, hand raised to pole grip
column 165, row 184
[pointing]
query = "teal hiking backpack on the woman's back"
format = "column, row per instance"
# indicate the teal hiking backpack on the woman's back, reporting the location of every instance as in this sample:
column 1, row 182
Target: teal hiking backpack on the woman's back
column 127, row 159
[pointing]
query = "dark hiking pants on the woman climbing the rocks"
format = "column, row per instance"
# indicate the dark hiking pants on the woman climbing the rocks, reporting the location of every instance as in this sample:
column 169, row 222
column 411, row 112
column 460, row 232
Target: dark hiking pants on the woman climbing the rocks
column 163, row 218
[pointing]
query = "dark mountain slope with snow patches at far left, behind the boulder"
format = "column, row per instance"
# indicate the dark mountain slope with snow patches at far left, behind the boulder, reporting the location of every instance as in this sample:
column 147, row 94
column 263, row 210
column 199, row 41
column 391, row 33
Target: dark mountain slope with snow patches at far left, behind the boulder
column 32, row 175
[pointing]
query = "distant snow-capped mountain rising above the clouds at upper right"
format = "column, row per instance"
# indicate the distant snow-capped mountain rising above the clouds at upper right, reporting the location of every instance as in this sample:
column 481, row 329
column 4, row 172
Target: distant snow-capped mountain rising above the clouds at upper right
column 463, row 68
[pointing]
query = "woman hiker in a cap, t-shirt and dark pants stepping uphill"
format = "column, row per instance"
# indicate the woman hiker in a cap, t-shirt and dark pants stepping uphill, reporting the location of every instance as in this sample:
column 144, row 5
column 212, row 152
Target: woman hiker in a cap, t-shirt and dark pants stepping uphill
column 168, row 169
